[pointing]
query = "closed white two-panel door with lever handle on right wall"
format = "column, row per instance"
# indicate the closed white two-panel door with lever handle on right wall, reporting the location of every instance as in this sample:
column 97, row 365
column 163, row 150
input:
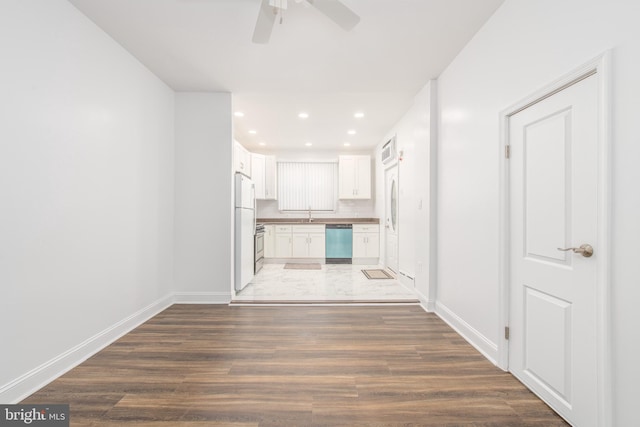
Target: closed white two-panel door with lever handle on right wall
column 554, row 205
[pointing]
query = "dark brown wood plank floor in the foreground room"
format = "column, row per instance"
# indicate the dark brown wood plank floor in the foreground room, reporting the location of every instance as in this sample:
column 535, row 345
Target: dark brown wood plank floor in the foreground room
column 206, row 365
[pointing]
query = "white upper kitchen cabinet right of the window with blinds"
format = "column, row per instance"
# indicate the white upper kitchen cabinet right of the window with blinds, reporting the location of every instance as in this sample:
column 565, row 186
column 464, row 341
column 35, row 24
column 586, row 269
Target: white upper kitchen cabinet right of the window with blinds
column 354, row 176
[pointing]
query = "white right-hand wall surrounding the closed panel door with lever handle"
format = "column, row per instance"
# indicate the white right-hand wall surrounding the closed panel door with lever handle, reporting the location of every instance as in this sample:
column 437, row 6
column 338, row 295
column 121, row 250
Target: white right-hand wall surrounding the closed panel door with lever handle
column 525, row 46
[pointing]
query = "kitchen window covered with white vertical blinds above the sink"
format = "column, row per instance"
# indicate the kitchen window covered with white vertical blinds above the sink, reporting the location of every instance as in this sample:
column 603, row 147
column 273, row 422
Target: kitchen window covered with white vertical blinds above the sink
column 303, row 186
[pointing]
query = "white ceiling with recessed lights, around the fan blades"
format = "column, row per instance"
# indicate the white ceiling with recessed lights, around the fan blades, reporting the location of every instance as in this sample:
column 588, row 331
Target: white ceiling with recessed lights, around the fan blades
column 310, row 64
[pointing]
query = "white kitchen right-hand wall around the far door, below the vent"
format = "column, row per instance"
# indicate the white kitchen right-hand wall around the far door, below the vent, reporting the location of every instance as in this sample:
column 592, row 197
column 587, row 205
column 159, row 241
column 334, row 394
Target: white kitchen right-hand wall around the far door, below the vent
column 415, row 137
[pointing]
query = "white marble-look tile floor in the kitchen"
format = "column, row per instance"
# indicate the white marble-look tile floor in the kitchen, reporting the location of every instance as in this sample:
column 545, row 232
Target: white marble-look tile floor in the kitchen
column 333, row 283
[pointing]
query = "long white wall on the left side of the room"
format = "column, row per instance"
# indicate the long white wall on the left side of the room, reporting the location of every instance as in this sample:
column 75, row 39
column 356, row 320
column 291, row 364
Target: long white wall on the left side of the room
column 86, row 191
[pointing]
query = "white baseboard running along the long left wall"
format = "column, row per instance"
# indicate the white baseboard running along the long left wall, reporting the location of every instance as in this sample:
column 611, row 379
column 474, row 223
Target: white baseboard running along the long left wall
column 27, row 384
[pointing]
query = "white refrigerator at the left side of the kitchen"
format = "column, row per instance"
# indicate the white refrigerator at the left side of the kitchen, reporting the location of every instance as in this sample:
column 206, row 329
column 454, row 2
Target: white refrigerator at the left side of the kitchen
column 245, row 230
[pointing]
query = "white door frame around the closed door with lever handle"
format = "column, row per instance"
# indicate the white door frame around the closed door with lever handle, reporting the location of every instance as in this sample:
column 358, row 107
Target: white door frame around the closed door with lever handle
column 601, row 66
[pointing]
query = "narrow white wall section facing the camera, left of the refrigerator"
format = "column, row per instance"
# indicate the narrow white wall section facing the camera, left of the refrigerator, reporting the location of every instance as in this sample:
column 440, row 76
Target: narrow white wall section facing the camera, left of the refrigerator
column 203, row 216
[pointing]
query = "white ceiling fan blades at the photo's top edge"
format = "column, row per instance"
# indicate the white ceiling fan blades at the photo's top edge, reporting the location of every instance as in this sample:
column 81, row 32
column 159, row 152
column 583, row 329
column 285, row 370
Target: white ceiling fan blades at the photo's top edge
column 271, row 9
